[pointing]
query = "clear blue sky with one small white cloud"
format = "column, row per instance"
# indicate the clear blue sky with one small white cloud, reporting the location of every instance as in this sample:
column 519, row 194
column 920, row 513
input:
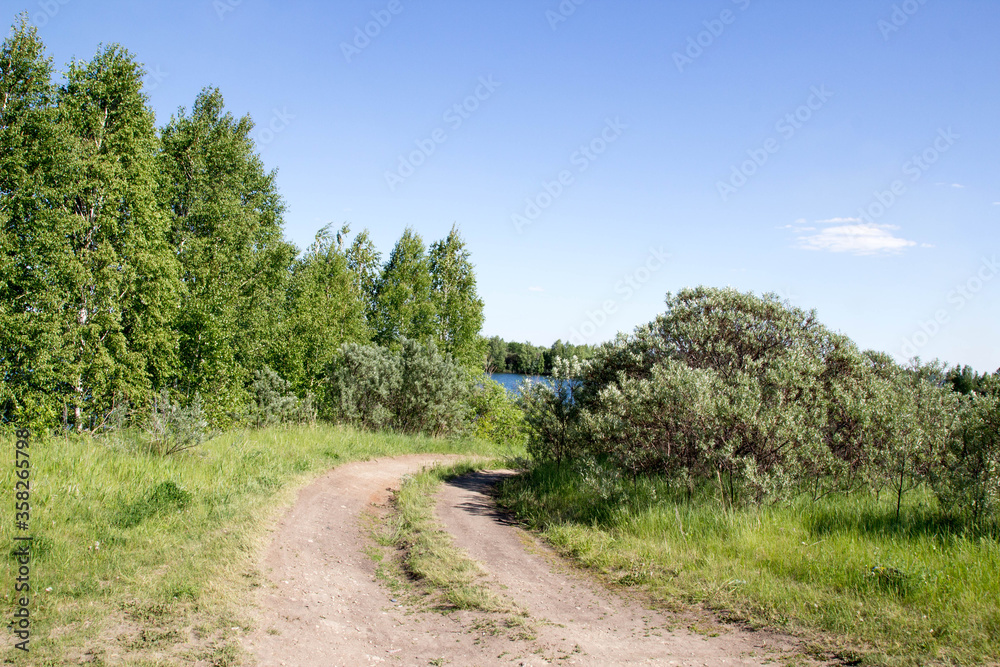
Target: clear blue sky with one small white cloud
column 598, row 155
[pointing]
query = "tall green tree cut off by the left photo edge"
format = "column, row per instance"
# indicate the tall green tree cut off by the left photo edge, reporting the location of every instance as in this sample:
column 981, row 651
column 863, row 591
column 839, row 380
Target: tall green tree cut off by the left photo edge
column 29, row 148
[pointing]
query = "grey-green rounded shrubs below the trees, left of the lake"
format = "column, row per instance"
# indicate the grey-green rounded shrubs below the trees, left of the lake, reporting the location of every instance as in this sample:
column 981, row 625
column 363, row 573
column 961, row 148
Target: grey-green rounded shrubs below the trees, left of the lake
column 413, row 389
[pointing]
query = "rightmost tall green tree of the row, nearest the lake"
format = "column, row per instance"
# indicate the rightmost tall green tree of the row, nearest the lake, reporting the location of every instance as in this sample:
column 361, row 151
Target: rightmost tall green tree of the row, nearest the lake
column 457, row 306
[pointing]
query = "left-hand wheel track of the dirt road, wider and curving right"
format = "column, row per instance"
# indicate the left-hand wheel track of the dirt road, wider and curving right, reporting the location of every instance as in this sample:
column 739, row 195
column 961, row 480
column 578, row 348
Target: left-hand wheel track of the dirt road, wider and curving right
column 324, row 606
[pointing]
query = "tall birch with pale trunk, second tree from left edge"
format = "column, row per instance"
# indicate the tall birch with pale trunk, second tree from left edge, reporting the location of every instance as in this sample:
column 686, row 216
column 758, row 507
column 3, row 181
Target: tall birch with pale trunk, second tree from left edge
column 121, row 275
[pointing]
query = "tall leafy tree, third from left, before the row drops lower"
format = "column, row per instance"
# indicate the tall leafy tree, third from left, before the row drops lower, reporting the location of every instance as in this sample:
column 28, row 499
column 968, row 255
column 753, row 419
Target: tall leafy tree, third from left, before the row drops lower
column 226, row 217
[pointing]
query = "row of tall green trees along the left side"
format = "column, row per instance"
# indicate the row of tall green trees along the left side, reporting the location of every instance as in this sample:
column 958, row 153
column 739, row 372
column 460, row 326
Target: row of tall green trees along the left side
column 140, row 262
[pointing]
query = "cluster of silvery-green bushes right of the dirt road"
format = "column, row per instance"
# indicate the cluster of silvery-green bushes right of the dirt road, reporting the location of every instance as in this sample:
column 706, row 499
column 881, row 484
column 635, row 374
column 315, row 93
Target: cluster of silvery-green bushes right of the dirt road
column 760, row 400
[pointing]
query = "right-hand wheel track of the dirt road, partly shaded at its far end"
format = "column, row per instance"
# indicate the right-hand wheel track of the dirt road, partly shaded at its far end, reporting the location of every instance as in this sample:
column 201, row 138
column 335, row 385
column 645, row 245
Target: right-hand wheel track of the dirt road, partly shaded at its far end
column 576, row 614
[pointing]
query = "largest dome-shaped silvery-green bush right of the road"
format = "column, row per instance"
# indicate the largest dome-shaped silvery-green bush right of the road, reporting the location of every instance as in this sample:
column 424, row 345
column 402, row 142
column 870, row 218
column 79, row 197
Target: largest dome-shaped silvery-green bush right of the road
column 726, row 386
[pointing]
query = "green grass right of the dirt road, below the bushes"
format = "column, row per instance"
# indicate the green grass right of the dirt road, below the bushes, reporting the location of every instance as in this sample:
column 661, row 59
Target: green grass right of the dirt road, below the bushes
column 841, row 571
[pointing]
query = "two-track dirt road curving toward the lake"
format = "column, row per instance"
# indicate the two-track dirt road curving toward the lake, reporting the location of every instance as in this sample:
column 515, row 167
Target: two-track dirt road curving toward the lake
column 326, row 607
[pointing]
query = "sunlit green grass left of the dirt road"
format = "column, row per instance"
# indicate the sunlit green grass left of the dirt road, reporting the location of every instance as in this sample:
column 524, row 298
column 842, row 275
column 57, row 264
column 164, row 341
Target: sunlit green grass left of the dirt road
column 142, row 559
